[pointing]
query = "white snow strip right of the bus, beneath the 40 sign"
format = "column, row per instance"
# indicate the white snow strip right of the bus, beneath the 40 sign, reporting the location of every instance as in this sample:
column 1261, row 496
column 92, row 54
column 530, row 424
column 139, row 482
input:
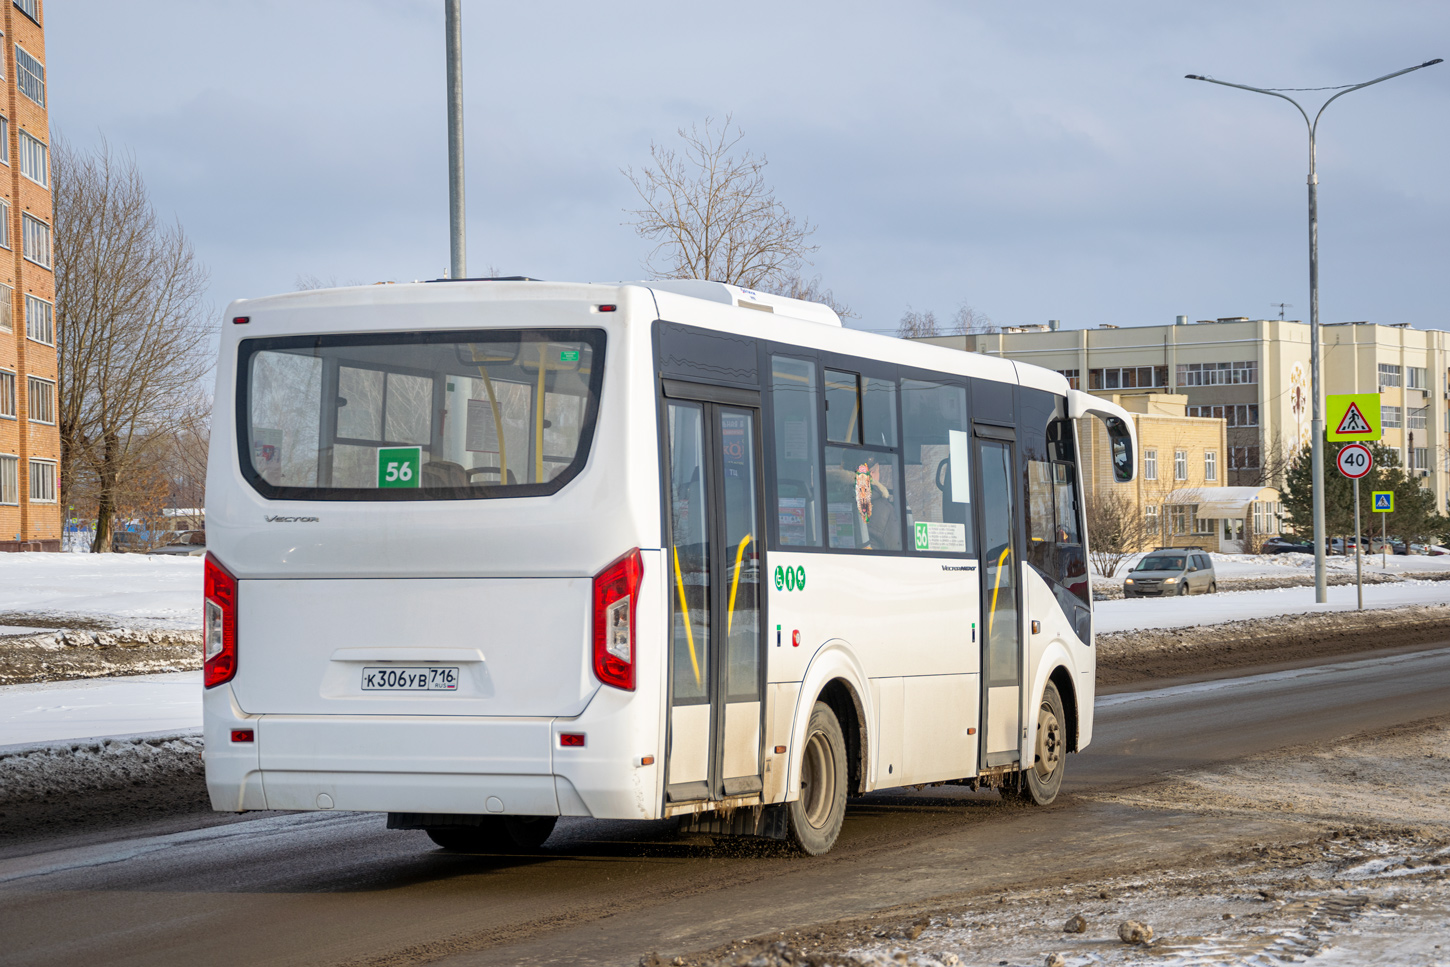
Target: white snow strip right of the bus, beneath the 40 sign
column 1213, row 610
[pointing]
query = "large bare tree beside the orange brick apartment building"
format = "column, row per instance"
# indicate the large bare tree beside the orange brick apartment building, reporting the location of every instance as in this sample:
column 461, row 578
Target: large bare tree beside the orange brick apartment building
column 131, row 337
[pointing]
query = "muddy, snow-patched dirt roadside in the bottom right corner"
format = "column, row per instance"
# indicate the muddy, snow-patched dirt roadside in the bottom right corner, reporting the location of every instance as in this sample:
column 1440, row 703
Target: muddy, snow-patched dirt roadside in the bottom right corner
column 1371, row 878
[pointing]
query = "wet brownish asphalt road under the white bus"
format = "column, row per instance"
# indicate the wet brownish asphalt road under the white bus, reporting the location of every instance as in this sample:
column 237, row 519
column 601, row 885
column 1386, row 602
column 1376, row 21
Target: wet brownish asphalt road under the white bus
column 341, row 889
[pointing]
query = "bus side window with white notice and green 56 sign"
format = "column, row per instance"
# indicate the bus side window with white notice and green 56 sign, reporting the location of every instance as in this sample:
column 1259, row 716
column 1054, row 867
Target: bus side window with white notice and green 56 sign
column 936, row 521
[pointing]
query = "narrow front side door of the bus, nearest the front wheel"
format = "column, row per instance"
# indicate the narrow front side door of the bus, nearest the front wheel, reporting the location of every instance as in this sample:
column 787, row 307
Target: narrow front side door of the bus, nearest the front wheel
column 1001, row 602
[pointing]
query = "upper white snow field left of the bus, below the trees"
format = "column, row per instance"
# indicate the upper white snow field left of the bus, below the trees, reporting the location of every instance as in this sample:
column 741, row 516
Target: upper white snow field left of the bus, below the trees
column 130, row 591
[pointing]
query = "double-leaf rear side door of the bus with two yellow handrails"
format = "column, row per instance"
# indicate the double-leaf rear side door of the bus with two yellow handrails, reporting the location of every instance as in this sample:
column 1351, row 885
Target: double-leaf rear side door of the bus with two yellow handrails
column 716, row 559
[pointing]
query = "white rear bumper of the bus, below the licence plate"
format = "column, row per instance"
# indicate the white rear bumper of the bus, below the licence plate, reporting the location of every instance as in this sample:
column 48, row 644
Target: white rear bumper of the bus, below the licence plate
column 427, row 765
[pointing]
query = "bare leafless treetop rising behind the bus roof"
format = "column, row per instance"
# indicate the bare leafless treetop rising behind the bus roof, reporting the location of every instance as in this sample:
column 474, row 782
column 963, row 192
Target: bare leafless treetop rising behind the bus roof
column 711, row 214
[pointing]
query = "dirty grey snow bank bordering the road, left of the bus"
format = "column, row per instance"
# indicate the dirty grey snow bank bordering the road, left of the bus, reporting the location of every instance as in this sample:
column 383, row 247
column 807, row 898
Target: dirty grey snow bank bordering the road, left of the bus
column 59, row 771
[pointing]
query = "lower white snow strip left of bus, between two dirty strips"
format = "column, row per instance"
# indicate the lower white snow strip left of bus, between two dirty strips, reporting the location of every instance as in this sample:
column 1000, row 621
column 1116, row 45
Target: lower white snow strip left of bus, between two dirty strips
column 91, row 708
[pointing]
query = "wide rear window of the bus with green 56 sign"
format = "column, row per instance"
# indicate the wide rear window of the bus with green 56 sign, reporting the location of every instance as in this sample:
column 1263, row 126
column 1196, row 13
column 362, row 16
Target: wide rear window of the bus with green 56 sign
column 418, row 417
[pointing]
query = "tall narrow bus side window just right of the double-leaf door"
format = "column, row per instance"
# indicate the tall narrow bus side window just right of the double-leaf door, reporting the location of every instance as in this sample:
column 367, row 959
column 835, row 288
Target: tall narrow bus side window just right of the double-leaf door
column 798, row 452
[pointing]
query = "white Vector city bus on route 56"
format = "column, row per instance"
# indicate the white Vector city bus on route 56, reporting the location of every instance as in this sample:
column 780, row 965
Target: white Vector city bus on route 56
column 484, row 555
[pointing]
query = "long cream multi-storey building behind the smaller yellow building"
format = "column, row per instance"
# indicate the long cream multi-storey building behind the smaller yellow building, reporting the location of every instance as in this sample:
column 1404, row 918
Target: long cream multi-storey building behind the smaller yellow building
column 1255, row 375
